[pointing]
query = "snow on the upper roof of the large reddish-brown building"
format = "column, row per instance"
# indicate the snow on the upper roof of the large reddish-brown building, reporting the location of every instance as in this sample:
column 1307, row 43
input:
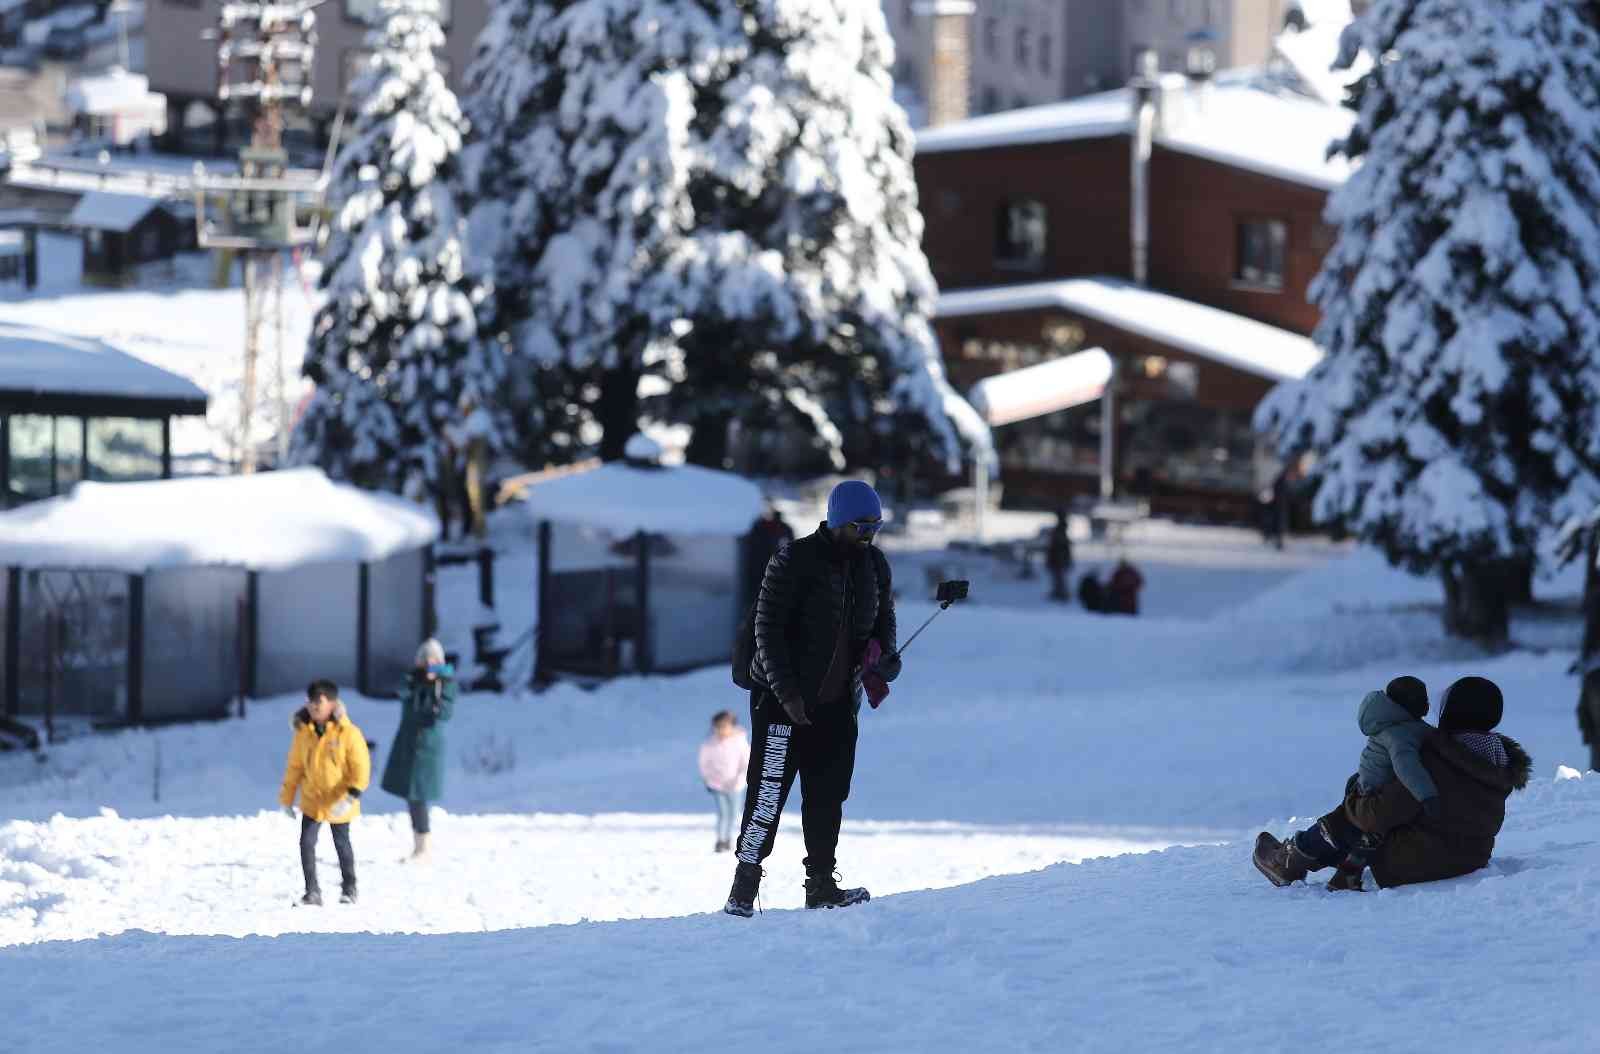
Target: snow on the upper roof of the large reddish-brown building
column 1246, row 119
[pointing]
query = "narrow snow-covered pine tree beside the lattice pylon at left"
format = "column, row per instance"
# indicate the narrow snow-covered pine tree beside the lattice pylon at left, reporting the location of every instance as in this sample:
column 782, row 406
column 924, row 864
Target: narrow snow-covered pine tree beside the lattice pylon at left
column 406, row 383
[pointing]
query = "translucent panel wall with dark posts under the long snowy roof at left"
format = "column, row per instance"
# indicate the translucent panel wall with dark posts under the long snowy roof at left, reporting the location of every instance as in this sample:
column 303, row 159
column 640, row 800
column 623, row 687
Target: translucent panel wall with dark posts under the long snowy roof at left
column 103, row 649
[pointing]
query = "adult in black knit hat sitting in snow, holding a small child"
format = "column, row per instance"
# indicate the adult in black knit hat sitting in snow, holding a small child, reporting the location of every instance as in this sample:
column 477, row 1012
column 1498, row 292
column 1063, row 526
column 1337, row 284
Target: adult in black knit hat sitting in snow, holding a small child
column 1474, row 772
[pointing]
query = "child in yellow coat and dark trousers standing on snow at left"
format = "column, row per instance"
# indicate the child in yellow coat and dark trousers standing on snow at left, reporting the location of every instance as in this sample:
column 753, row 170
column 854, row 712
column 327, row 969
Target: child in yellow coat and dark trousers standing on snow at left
column 329, row 767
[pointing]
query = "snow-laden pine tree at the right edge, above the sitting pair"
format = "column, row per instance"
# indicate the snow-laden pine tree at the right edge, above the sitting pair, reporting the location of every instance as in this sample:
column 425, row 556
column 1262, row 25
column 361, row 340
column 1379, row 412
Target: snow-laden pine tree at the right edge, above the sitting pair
column 1455, row 413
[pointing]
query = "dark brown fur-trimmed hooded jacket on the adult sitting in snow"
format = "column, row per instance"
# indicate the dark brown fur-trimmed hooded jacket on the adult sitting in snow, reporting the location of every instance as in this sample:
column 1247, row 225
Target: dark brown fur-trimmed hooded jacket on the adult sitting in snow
column 1471, row 812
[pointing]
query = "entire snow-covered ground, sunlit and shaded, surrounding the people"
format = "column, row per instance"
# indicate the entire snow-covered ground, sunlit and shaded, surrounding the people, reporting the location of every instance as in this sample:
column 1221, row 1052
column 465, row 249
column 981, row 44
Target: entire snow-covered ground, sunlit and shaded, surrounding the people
column 1006, row 805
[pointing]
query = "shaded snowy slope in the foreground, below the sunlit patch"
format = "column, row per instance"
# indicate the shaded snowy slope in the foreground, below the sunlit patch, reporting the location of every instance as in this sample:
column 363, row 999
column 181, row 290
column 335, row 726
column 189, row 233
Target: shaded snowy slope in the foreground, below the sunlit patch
column 1188, row 951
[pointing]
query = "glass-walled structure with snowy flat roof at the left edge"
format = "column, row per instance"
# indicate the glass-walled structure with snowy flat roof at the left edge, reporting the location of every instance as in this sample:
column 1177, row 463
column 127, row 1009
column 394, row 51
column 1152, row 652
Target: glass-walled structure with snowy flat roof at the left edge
column 79, row 410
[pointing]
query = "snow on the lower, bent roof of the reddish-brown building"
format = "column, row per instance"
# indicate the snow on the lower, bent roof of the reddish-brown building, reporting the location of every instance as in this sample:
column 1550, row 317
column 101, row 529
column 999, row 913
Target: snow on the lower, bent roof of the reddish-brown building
column 1206, row 332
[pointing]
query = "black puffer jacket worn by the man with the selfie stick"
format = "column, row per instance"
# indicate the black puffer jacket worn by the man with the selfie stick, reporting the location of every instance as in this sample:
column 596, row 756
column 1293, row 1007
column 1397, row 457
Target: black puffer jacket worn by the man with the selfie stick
column 801, row 607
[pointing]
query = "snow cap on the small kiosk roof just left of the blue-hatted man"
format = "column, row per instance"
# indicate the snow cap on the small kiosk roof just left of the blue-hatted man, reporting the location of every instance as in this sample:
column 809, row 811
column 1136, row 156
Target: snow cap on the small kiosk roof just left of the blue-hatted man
column 674, row 500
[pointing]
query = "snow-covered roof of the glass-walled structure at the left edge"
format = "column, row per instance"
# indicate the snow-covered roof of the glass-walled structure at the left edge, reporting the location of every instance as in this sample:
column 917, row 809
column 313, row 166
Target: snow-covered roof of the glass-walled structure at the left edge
column 42, row 362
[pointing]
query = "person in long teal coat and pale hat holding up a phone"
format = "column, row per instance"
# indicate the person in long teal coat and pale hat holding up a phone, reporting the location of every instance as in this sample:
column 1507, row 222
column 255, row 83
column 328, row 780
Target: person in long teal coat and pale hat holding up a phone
column 417, row 764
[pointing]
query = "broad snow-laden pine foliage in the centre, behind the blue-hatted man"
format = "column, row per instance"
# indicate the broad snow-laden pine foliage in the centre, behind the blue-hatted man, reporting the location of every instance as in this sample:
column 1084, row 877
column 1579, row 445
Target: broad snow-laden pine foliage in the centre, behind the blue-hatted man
column 718, row 193
